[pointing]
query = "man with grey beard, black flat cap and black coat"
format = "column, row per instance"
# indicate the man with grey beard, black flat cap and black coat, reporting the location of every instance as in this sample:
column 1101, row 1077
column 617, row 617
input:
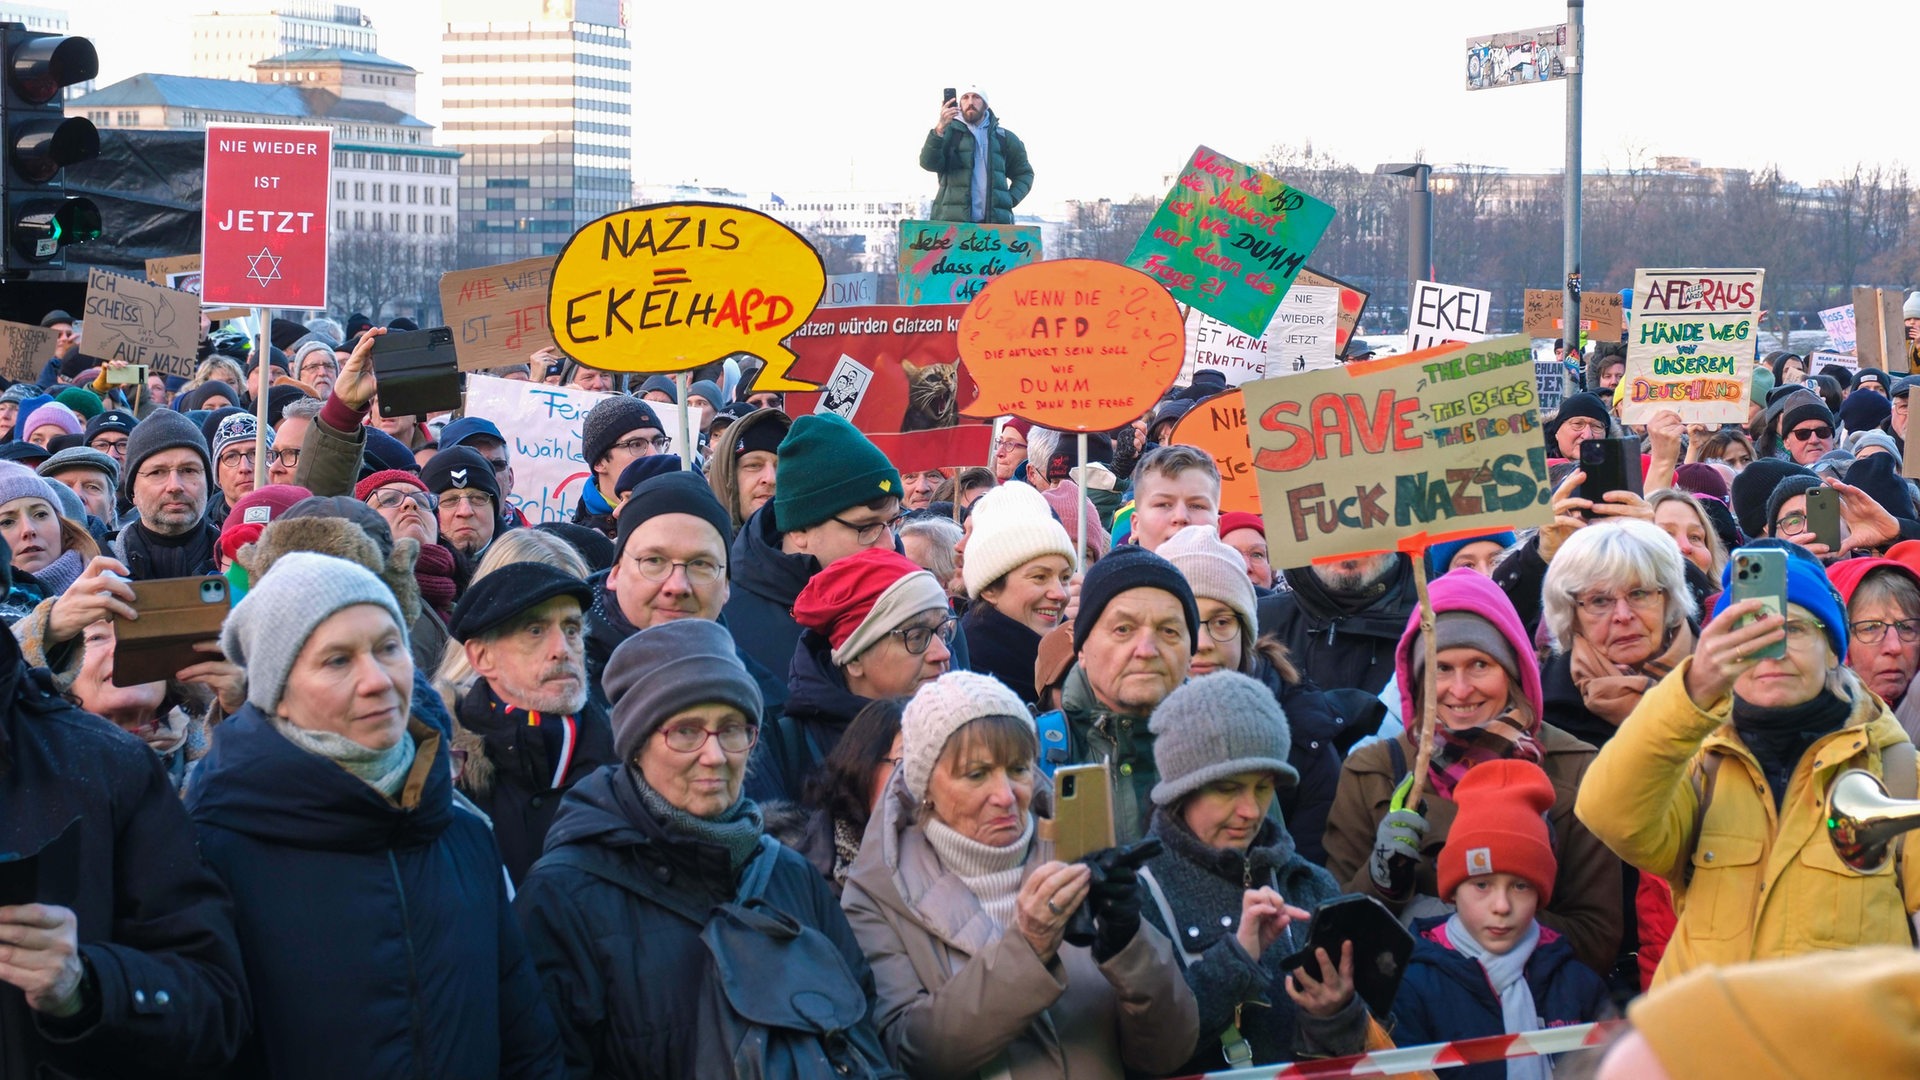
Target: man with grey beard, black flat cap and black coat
column 525, row 729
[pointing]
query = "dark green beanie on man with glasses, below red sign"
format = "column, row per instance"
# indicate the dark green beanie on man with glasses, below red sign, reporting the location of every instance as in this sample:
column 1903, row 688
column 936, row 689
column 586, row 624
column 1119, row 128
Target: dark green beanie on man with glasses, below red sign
column 825, row 468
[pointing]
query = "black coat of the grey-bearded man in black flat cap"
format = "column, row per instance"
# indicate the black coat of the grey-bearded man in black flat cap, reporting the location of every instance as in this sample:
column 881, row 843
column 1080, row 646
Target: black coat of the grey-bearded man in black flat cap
column 517, row 793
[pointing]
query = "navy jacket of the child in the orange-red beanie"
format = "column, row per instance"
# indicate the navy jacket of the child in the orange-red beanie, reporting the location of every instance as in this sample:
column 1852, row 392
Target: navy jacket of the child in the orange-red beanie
column 1447, row 996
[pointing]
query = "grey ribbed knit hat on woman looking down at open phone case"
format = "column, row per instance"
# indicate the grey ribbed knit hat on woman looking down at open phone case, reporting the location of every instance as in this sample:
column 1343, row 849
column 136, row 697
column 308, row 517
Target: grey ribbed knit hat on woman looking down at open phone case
column 1214, row 727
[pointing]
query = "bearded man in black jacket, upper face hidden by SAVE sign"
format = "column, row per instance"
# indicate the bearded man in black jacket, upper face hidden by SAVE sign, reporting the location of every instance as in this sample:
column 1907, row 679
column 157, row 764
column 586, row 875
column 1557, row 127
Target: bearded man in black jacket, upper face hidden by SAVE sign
column 1341, row 622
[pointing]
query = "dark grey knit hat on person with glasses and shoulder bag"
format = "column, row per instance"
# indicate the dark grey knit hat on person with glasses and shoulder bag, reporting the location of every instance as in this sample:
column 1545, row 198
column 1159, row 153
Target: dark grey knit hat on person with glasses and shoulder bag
column 667, row 670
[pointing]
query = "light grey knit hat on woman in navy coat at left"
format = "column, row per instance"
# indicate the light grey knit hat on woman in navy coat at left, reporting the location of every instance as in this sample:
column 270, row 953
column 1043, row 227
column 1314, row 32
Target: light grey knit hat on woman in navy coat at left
column 268, row 629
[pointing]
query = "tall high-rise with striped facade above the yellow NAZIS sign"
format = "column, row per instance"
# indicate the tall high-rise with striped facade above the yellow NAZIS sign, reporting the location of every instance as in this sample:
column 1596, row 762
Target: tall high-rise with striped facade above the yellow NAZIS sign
column 540, row 99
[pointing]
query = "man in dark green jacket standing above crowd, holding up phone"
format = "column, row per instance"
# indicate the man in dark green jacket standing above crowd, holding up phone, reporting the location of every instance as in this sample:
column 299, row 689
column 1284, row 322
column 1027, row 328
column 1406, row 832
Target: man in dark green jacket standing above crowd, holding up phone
column 984, row 168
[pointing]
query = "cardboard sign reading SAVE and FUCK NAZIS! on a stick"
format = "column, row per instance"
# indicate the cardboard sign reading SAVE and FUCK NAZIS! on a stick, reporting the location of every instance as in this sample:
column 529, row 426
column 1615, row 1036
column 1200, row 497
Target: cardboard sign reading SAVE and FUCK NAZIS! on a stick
column 1401, row 453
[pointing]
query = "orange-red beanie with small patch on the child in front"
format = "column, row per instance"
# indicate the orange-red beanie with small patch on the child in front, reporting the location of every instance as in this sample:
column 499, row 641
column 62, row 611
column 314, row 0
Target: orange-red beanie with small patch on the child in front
column 1500, row 827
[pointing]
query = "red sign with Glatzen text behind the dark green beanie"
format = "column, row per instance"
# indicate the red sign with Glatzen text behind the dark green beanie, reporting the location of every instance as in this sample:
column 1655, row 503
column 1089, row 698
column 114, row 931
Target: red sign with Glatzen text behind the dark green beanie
column 896, row 376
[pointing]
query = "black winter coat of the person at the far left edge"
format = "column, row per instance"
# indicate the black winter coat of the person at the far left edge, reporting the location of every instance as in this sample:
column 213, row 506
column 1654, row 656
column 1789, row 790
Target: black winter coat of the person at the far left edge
column 156, row 927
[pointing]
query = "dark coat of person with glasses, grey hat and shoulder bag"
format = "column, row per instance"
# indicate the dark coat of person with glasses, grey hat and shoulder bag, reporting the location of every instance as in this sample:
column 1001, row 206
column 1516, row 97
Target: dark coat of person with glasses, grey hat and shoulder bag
column 619, row 945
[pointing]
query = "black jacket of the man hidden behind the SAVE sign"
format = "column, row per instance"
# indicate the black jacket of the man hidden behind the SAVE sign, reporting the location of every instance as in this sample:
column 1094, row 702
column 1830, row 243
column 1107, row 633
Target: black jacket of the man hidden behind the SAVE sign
column 1337, row 649
